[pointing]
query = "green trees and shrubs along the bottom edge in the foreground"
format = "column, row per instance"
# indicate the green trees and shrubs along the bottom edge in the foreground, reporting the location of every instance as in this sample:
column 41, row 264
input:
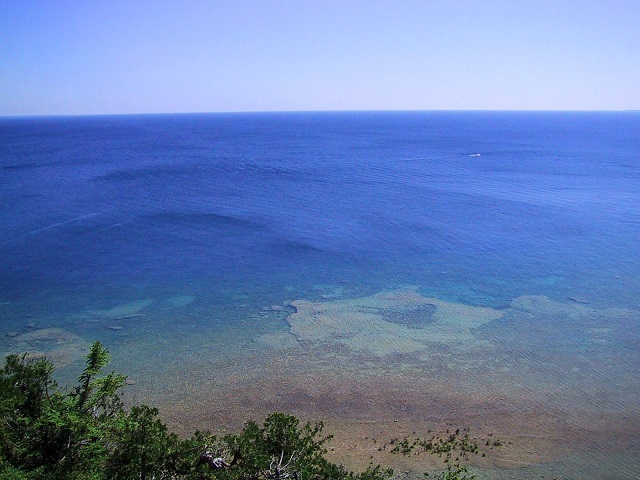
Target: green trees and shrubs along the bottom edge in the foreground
column 87, row 433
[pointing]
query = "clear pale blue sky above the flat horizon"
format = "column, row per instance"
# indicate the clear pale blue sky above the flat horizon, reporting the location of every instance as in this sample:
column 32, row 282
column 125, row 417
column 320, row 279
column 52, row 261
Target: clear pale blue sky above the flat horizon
column 143, row 56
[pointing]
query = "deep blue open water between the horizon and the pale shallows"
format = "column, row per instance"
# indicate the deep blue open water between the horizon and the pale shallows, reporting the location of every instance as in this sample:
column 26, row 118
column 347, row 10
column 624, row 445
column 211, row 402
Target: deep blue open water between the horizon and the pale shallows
column 248, row 201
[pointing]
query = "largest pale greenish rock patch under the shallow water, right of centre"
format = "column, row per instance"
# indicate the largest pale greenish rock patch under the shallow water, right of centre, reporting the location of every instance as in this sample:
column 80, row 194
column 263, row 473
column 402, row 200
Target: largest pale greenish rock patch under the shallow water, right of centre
column 367, row 324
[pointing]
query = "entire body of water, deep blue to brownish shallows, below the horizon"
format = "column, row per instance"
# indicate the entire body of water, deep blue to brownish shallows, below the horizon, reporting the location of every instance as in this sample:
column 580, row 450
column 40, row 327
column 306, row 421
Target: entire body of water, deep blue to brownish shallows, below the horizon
column 185, row 243
